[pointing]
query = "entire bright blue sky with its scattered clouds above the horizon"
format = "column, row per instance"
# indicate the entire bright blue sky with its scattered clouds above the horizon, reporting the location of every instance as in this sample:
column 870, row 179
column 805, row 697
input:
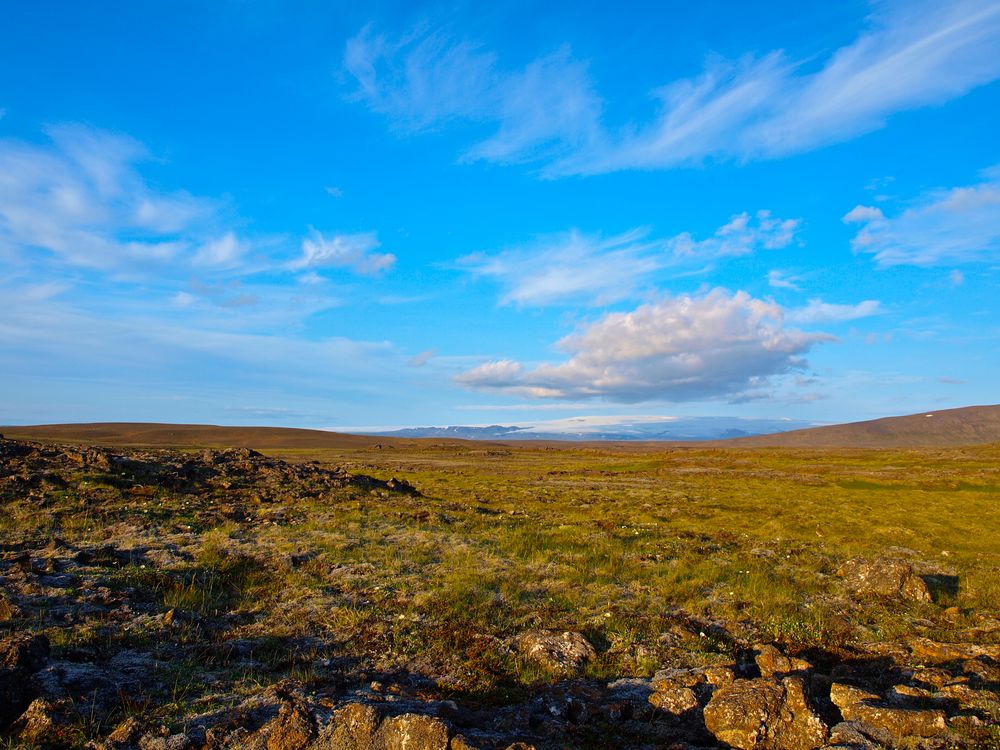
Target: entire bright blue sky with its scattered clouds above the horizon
column 320, row 214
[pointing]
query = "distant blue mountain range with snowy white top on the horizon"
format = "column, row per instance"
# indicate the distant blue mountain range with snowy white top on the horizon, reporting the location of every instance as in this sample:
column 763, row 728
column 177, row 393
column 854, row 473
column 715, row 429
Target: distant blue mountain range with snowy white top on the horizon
column 609, row 429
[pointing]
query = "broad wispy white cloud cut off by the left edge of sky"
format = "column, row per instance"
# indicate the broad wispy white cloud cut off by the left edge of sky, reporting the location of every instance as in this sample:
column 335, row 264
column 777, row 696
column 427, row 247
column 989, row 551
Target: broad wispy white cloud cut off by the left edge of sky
column 81, row 200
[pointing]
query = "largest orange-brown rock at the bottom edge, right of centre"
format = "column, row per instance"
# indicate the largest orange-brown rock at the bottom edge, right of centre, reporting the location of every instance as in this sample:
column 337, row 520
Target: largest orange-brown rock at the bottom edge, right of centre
column 765, row 714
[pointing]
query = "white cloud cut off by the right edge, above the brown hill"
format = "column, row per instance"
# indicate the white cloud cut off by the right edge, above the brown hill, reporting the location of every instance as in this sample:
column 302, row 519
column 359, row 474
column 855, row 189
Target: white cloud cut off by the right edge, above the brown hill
column 960, row 225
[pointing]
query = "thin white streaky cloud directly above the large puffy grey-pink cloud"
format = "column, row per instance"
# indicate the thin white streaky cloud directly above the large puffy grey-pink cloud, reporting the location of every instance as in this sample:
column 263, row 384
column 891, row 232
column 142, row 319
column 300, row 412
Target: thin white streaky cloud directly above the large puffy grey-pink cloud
column 575, row 266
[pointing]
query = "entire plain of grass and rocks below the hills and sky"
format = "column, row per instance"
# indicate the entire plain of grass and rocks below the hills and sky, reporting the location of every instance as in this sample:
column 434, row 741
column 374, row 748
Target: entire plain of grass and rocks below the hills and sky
column 213, row 597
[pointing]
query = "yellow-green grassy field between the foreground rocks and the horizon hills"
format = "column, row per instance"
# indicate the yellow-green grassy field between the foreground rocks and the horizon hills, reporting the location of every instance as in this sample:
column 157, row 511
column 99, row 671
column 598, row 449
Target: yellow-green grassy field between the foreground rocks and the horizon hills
column 658, row 556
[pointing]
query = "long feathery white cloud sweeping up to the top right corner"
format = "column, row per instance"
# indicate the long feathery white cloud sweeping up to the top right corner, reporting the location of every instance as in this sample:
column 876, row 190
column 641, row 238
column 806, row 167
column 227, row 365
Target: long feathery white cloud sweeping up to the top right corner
column 910, row 55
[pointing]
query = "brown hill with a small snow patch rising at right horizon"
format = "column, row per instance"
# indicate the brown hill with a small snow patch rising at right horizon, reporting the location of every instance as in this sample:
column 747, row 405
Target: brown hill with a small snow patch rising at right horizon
column 970, row 425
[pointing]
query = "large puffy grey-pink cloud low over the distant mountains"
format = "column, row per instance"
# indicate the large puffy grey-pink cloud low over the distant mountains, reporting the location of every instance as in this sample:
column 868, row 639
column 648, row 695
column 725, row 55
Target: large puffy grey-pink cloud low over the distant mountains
column 690, row 347
